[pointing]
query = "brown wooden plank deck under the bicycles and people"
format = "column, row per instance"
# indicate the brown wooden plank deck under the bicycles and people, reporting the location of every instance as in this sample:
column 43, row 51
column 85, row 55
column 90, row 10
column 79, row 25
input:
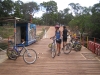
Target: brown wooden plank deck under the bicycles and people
column 75, row 63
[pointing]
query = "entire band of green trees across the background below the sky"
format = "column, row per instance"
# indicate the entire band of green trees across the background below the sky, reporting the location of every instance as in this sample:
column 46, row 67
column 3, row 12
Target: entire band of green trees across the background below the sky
column 84, row 19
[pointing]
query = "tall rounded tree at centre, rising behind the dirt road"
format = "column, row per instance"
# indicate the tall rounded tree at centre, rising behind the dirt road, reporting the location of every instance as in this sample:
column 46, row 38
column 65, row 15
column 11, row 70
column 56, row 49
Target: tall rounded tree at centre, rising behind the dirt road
column 50, row 16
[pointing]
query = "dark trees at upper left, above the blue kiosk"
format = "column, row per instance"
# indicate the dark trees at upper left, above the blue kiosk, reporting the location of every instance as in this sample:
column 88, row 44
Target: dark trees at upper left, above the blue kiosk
column 18, row 9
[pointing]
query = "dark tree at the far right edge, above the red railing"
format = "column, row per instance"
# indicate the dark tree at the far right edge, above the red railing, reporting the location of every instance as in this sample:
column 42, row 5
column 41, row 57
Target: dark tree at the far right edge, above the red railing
column 96, row 19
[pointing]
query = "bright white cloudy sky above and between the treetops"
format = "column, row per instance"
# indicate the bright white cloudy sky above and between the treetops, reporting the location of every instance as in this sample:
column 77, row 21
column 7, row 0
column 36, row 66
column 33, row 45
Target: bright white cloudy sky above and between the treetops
column 62, row 4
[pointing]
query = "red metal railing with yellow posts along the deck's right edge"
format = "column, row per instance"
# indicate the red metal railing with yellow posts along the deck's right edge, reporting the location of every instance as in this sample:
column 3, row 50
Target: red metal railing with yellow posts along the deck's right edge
column 92, row 43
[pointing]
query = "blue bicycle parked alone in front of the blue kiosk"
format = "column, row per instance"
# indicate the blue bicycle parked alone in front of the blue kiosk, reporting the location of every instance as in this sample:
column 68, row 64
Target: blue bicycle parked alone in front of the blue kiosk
column 29, row 55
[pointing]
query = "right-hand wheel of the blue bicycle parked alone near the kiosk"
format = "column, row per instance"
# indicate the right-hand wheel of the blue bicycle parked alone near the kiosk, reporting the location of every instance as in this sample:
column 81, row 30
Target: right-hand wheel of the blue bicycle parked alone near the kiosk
column 30, row 56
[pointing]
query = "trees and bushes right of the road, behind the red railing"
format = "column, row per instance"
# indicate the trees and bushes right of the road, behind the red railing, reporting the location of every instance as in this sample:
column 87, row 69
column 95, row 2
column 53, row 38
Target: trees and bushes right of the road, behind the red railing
column 87, row 21
